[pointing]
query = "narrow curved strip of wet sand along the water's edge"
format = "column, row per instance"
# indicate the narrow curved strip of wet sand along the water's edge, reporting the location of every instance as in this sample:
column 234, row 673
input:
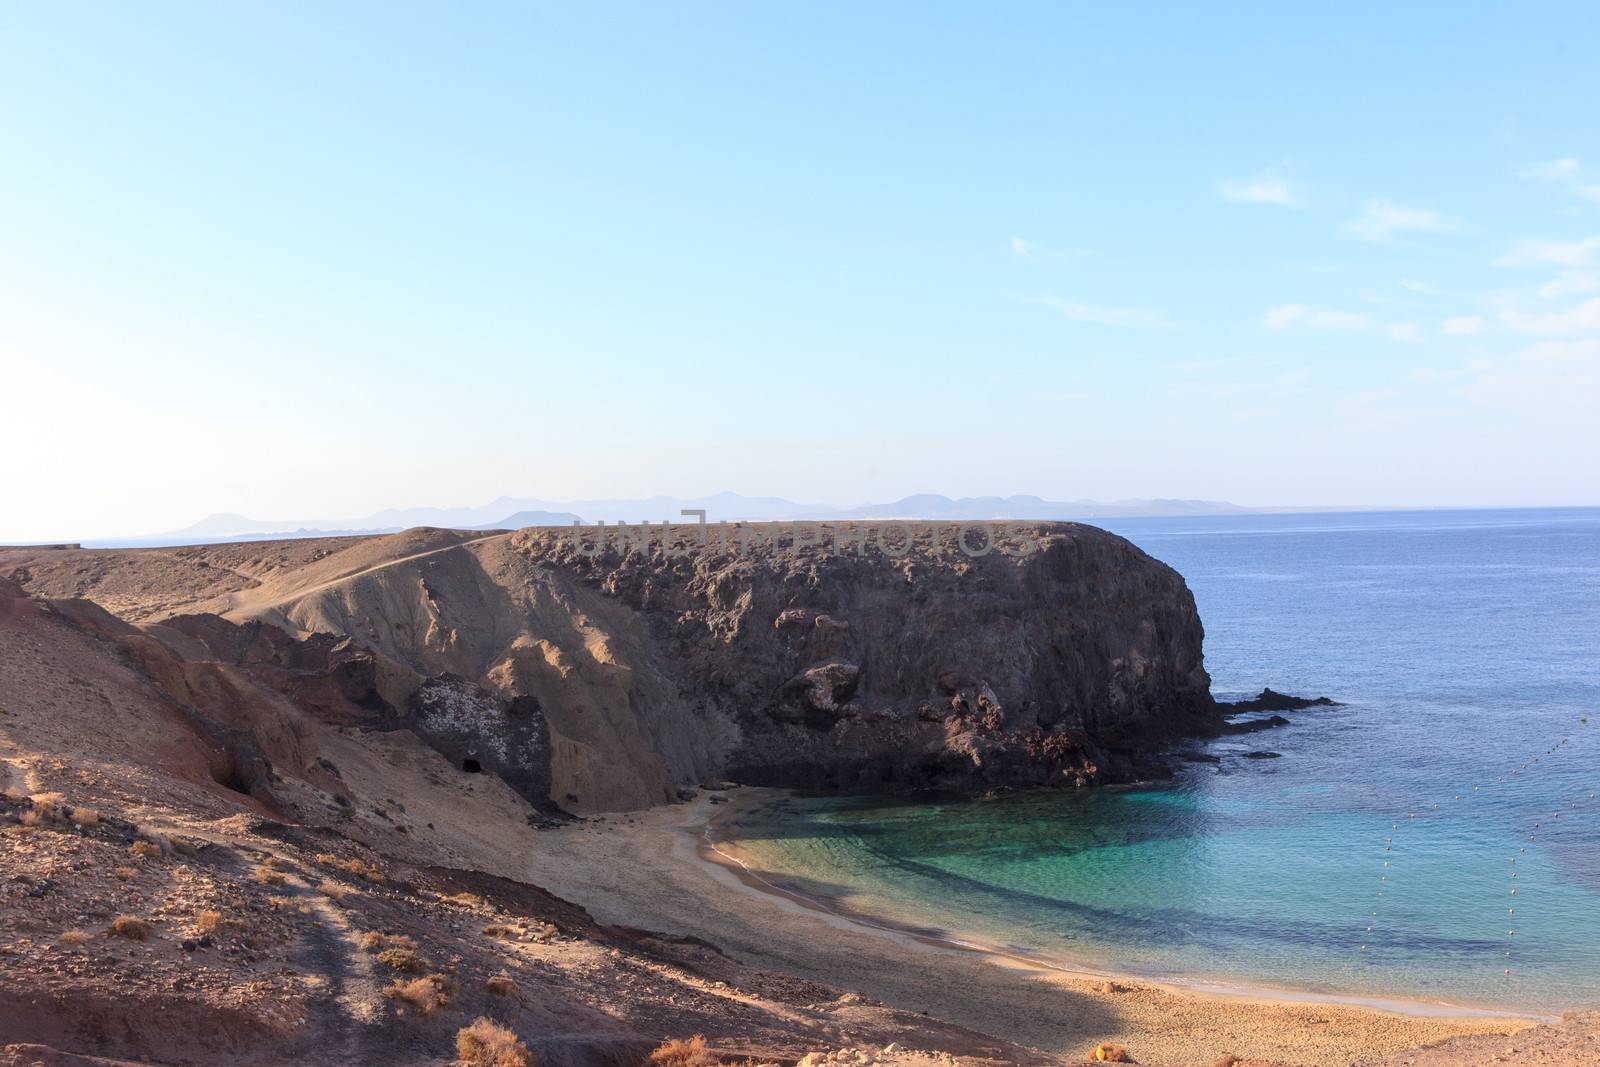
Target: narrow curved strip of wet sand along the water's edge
column 716, row 853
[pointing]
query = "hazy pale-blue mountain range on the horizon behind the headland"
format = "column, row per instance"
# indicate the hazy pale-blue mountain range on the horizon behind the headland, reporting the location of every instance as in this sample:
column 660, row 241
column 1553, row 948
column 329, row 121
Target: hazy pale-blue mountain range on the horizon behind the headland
column 514, row 513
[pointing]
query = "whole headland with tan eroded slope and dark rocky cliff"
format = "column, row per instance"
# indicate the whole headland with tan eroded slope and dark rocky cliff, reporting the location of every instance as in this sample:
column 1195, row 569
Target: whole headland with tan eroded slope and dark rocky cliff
column 615, row 674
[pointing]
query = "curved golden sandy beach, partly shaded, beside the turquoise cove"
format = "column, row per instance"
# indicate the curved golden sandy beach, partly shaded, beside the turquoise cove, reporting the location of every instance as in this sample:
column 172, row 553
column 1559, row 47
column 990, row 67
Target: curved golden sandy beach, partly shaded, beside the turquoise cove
column 655, row 871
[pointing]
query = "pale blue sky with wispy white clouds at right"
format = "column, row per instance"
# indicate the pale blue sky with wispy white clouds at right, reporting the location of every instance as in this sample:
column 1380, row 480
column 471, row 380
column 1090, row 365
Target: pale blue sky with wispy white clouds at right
column 316, row 263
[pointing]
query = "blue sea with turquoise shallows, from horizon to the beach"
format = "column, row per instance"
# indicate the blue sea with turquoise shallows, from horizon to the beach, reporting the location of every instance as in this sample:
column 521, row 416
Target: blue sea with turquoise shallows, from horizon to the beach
column 1465, row 645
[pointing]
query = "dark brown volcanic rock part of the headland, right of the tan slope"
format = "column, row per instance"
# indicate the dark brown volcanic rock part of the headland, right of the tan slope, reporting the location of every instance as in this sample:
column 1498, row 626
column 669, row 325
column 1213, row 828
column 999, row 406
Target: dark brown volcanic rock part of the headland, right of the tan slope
column 860, row 669
